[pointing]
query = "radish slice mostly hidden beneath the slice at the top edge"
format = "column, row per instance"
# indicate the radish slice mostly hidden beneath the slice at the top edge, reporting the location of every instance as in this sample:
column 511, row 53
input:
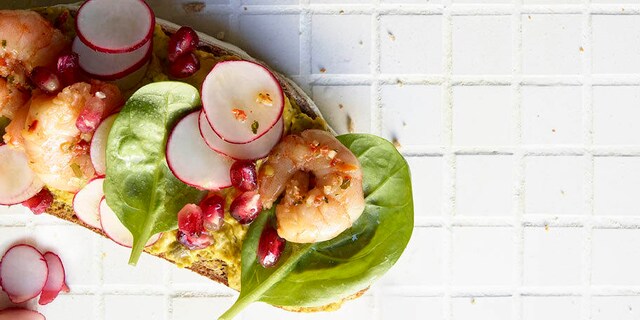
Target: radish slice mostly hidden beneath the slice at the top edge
column 111, row 66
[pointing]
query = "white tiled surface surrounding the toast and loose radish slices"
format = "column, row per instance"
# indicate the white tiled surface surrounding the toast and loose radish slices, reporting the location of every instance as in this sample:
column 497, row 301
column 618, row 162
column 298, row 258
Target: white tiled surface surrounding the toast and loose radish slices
column 518, row 118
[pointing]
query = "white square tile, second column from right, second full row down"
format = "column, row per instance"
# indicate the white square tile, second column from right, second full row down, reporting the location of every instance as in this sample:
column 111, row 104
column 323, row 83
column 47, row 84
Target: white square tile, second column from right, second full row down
column 551, row 115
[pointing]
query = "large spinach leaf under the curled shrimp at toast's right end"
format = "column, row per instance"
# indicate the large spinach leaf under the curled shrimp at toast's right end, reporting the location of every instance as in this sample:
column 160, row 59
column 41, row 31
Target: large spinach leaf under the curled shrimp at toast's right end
column 320, row 273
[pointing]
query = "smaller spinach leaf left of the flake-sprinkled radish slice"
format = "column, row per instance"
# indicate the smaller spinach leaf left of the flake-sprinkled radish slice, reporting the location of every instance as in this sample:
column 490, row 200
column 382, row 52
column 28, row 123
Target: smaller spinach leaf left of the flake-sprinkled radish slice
column 139, row 186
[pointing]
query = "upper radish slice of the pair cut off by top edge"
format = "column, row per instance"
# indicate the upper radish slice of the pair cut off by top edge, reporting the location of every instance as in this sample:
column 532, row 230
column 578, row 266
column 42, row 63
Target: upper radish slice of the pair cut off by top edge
column 115, row 26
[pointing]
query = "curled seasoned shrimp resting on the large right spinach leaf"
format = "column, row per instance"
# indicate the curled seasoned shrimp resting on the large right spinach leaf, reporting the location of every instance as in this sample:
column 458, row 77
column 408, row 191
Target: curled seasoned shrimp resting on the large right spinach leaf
column 322, row 184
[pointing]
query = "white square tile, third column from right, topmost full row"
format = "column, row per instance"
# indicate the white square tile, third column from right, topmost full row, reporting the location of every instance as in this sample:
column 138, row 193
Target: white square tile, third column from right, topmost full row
column 482, row 45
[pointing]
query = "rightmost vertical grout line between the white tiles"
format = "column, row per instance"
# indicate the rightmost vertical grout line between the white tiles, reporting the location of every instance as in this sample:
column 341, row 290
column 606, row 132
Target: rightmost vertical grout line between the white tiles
column 587, row 118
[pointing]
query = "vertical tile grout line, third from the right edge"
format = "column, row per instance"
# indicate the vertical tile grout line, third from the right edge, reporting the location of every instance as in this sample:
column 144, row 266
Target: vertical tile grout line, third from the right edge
column 449, row 160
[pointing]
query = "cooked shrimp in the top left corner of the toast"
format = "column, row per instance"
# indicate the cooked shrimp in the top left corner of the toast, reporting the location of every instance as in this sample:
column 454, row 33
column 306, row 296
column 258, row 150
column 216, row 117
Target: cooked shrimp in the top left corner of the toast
column 28, row 40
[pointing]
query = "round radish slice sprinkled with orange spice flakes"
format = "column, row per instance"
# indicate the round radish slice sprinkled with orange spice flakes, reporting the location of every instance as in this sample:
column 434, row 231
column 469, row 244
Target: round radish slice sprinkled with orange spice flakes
column 242, row 100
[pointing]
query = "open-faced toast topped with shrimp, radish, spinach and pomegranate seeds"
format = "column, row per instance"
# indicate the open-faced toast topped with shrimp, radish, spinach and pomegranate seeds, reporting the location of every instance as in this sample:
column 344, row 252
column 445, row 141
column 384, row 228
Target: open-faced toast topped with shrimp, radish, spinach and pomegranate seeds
column 181, row 146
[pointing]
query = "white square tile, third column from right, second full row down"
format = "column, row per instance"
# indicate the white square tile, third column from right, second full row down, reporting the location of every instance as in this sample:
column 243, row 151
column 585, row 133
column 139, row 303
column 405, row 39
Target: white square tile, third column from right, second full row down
column 483, row 115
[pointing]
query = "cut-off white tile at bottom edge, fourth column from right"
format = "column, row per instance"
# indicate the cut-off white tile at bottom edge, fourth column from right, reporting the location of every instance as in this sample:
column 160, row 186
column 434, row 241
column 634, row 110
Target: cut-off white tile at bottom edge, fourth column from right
column 411, row 308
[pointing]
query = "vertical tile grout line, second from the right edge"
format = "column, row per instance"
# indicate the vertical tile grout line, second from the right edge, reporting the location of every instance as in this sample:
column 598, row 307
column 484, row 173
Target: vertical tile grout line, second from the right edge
column 519, row 159
